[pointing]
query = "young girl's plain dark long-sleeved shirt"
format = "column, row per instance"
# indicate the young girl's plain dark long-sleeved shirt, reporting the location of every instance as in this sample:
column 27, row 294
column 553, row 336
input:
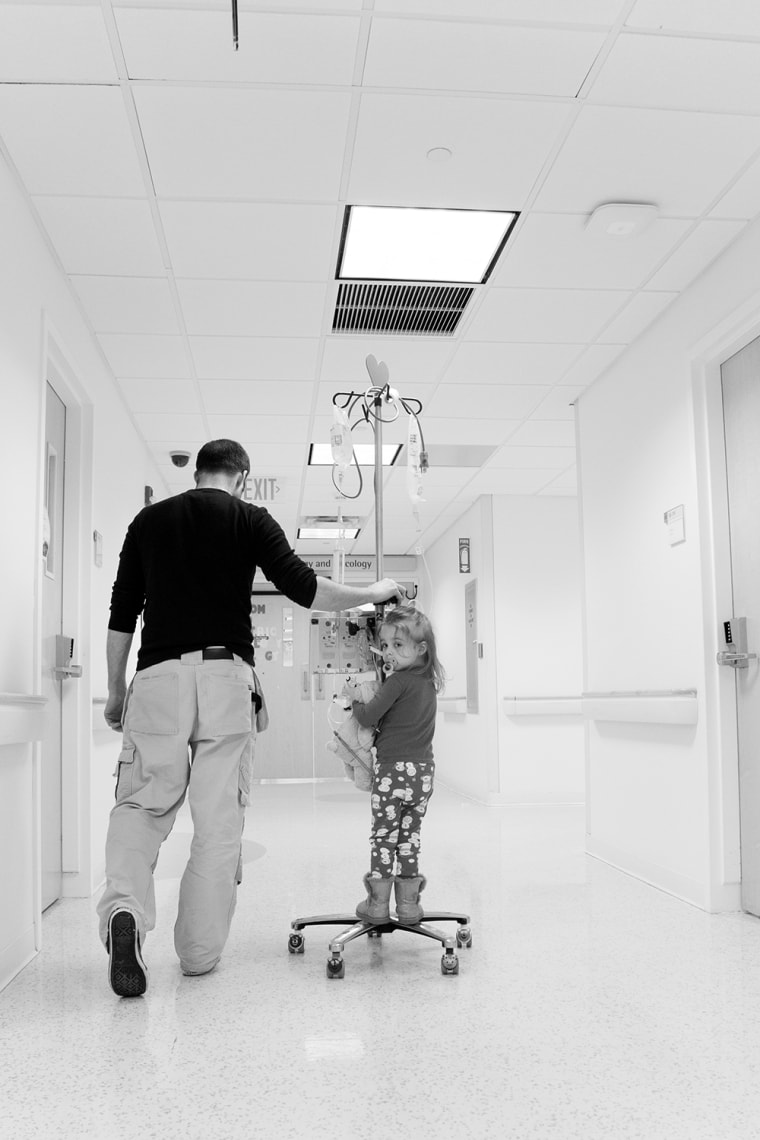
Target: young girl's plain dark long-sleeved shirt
column 405, row 713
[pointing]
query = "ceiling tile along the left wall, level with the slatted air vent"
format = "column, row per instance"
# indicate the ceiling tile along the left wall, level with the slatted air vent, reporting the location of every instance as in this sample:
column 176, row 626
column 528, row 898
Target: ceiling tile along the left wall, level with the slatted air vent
column 128, row 305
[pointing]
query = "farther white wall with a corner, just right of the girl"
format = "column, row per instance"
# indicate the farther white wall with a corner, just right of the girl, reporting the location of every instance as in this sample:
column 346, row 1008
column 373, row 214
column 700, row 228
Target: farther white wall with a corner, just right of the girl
column 525, row 555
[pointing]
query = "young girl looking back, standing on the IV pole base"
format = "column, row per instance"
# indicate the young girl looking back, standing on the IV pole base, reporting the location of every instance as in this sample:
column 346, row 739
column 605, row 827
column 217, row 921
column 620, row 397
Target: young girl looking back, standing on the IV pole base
column 403, row 784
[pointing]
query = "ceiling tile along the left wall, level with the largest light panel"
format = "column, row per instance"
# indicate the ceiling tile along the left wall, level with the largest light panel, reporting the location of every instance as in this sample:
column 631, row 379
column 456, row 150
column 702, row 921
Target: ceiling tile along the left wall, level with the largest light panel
column 105, row 237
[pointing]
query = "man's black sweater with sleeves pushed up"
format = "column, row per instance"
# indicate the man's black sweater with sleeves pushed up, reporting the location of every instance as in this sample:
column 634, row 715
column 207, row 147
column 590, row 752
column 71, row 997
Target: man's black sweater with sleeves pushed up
column 189, row 564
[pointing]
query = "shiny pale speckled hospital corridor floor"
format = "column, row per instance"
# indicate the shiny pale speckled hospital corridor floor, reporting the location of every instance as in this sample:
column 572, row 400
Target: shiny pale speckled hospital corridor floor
column 590, row 1006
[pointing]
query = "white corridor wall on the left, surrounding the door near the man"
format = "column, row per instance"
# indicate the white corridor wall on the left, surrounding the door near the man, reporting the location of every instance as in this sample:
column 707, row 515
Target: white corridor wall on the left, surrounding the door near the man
column 38, row 314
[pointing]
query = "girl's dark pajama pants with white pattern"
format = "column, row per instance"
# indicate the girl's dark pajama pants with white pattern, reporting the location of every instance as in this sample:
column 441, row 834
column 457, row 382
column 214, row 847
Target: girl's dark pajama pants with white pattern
column 399, row 801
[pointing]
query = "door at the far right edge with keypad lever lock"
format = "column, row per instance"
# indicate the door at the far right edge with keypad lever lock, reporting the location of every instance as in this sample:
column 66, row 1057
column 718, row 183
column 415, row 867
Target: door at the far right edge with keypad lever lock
column 741, row 393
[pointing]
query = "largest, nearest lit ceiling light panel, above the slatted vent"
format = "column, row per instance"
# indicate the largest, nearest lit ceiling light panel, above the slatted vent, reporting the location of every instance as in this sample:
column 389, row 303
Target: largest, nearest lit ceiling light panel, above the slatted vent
column 394, row 243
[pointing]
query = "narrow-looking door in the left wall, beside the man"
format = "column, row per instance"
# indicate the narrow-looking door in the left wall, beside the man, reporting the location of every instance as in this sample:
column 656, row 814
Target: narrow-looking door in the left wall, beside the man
column 53, row 567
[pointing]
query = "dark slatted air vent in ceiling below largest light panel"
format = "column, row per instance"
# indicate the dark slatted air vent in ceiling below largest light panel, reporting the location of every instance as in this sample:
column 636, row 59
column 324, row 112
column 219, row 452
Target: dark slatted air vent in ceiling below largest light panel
column 411, row 311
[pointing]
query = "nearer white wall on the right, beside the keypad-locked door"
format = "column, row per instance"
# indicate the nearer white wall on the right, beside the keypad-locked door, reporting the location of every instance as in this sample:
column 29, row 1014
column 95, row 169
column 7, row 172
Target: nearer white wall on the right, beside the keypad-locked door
column 649, row 624
